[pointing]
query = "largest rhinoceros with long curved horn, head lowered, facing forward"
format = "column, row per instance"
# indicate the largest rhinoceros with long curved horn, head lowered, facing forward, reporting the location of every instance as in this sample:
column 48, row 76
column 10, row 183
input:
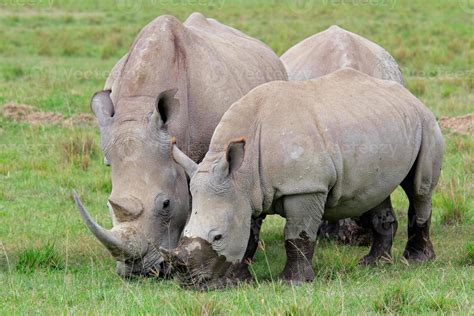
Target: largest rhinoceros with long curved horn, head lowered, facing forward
column 176, row 82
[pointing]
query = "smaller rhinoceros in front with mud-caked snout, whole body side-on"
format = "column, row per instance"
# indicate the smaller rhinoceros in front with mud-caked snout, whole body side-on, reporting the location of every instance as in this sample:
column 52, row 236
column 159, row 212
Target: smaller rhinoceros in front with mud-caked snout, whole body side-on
column 328, row 148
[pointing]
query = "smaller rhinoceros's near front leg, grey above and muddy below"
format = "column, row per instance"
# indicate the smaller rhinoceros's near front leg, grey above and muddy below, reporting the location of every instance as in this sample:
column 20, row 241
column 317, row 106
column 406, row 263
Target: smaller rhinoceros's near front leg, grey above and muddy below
column 303, row 216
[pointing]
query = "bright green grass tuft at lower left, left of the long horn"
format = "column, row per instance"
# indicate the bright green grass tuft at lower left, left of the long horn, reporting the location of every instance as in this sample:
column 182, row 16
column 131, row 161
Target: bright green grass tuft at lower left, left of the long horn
column 43, row 258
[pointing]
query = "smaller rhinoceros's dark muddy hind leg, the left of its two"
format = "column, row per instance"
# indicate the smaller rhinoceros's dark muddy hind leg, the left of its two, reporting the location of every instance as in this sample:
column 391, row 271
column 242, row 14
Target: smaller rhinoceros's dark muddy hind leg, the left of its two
column 383, row 223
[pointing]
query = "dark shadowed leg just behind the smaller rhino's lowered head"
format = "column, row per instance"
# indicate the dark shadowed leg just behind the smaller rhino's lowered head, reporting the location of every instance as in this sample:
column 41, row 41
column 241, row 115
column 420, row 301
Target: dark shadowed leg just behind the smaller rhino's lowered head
column 241, row 271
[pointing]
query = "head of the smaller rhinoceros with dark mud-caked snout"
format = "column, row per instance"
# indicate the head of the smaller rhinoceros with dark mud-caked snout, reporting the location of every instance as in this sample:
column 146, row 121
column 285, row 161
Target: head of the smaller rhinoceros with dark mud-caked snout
column 216, row 236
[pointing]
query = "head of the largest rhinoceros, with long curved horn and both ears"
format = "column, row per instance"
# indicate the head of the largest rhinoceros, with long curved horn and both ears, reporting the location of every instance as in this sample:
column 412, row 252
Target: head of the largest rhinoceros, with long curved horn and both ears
column 149, row 202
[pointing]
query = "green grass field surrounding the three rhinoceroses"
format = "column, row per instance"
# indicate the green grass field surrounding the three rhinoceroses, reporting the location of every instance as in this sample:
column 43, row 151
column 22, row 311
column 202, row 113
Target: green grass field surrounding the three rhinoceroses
column 55, row 54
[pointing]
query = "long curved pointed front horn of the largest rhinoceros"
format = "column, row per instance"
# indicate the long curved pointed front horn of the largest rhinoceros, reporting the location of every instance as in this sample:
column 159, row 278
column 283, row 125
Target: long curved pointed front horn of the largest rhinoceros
column 114, row 245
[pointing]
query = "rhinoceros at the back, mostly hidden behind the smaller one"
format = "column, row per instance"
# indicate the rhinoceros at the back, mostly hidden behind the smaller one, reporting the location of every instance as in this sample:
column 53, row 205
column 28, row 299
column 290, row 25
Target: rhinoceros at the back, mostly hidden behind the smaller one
column 326, row 52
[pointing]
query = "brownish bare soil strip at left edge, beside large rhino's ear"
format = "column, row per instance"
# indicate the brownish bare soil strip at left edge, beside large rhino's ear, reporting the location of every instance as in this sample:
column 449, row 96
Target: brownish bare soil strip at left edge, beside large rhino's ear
column 31, row 115
